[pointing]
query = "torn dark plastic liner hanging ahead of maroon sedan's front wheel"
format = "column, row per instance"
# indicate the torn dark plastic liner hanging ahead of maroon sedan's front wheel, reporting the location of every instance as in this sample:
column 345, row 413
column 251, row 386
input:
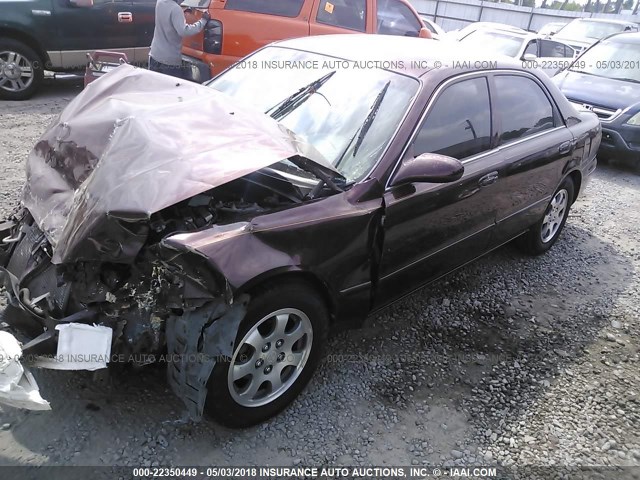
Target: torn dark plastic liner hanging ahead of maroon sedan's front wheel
column 195, row 342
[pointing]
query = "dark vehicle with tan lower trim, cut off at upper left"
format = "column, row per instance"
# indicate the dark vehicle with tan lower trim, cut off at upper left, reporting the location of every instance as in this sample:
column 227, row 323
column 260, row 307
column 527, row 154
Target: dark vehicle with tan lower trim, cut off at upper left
column 38, row 35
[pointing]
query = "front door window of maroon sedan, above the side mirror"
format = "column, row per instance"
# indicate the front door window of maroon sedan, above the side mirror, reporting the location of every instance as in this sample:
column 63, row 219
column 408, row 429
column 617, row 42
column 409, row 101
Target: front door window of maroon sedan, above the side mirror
column 459, row 123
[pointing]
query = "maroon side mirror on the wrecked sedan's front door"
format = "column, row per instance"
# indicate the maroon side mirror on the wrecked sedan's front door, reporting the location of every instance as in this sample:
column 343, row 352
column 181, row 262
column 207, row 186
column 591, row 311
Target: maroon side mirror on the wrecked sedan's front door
column 428, row 168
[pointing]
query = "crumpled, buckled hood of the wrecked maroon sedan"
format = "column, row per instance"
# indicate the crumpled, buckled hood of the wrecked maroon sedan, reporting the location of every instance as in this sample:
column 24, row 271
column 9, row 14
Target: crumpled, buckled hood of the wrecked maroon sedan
column 133, row 143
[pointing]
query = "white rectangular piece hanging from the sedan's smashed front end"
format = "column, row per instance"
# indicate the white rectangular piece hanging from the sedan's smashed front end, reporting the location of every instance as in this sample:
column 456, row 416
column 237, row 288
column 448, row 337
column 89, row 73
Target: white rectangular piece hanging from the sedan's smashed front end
column 80, row 347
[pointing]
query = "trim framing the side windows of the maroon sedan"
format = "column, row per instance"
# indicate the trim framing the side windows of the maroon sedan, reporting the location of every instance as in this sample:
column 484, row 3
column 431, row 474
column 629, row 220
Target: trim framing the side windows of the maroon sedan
column 494, row 133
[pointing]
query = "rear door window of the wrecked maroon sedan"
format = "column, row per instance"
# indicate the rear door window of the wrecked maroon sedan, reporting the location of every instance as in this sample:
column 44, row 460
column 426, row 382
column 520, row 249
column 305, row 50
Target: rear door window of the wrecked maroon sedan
column 522, row 107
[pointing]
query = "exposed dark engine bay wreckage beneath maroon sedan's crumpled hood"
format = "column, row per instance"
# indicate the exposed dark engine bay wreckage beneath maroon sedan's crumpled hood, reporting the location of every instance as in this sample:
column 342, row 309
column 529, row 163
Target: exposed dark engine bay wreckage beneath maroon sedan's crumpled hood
column 137, row 300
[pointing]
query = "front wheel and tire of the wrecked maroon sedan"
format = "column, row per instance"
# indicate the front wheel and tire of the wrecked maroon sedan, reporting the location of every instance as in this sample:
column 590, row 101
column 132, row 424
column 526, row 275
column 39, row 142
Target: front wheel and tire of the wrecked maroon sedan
column 277, row 349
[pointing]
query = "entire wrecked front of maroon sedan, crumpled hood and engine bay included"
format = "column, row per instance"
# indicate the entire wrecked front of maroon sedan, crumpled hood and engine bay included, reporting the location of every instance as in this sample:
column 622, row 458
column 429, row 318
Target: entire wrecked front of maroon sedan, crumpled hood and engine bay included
column 109, row 185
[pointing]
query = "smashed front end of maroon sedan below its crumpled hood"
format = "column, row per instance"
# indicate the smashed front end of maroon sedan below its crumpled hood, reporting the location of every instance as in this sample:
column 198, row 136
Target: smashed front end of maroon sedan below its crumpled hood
column 165, row 302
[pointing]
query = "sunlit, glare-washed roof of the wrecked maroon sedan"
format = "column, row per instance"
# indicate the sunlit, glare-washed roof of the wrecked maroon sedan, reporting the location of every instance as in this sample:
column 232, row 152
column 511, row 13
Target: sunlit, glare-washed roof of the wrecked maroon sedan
column 396, row 53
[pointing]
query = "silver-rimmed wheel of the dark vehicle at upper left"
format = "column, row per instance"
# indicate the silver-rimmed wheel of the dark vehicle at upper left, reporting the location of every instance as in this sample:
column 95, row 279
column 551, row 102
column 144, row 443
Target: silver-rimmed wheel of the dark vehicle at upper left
column 21, row 70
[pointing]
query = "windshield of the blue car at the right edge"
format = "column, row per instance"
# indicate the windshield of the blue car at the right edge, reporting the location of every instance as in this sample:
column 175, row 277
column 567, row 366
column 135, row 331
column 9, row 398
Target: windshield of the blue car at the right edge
column 616, row 60
